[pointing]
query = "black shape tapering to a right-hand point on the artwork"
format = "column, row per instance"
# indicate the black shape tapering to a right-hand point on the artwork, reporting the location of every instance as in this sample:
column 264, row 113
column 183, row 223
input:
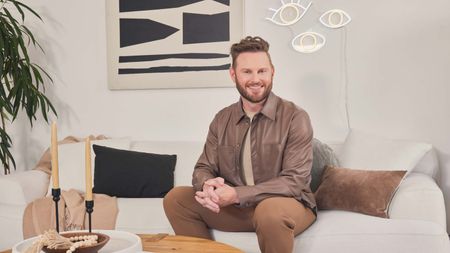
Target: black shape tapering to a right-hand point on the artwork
column 137, row 31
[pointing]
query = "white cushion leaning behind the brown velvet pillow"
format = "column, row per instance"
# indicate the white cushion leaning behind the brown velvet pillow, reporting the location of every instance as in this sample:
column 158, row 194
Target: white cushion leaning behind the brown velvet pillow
column 367, row 151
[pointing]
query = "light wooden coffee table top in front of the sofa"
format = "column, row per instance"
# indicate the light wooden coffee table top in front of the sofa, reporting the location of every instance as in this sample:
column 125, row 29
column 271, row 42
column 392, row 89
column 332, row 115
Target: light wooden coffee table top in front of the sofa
column 164, row 243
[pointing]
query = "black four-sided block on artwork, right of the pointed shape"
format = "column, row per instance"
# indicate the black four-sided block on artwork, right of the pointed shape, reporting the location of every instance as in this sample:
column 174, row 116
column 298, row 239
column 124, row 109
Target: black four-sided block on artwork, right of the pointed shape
column 201, row 28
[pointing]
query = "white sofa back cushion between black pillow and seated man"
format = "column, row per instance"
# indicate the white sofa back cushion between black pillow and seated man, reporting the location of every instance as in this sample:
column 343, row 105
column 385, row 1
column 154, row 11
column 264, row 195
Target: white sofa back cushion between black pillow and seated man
column 187, row 153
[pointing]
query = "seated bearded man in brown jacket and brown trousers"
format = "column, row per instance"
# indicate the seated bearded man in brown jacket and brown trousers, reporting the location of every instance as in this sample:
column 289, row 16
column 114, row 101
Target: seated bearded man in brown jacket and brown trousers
column 254, row 172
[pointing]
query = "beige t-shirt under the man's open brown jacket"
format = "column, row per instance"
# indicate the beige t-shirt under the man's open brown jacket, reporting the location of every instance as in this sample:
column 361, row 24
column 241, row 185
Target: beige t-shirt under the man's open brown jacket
column 246, row 155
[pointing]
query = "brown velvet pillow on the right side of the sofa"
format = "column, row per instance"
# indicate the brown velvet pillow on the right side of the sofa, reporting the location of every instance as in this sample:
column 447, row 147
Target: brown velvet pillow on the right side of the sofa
column 363, row 191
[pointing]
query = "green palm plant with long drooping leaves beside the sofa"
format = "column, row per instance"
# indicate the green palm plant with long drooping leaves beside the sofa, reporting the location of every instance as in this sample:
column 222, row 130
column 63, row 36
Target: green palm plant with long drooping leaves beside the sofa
column 21, row 81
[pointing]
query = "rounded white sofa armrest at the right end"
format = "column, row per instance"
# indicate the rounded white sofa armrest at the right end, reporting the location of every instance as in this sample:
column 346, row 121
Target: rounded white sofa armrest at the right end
column 419, row 198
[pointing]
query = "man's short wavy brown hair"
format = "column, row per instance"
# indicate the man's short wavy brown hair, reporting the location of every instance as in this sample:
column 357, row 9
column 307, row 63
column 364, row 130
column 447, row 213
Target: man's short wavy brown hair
column 249, row 44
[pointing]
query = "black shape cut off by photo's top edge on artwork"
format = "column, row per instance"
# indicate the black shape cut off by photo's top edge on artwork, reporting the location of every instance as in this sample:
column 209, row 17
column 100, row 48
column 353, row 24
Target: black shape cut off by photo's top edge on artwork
column 143, row 5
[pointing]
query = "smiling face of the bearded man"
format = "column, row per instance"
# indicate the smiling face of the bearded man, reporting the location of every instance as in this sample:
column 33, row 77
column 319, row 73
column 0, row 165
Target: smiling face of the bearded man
column 253, row 75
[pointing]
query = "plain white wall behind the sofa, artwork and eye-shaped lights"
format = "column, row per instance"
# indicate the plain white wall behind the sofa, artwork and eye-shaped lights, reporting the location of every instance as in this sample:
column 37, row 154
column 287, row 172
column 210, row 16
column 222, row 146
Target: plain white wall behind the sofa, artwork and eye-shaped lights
column 398, row 55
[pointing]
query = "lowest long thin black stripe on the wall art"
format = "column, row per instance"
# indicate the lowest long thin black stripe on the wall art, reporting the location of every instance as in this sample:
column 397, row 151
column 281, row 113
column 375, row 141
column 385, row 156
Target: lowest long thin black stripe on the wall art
column 171, row 69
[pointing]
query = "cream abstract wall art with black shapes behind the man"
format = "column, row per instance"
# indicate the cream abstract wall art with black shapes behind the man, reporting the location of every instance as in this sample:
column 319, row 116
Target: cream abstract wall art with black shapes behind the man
column 154, row 44
